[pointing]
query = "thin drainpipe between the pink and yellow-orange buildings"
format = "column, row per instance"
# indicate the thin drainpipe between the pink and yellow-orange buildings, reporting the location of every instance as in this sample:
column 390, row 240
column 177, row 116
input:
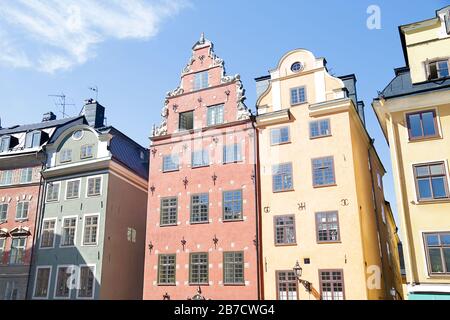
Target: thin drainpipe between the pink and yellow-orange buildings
column 259, row 268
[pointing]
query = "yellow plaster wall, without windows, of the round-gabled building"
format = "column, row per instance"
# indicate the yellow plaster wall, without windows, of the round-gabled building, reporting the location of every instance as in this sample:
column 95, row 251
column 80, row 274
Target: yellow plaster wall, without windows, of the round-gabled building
column 349, row 146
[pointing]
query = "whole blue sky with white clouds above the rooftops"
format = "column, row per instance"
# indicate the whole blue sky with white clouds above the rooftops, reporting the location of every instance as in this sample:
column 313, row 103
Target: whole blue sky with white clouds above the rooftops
column 134, row 51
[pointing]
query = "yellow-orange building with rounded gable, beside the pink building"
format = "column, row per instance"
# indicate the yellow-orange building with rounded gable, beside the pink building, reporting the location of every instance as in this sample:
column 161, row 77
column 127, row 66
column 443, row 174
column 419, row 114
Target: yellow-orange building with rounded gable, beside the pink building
column 321, row 188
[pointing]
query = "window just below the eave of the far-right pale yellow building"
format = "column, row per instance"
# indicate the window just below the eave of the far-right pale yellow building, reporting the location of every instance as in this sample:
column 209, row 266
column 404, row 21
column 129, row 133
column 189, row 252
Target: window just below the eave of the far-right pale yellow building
column 422, row 125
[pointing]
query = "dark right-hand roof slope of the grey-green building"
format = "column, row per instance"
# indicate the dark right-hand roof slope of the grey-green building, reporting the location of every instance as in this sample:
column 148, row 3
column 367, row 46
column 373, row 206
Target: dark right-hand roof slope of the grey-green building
column 127, row 151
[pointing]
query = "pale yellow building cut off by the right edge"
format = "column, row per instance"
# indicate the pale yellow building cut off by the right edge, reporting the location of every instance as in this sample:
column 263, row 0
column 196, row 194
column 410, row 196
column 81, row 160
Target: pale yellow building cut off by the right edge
column 414, row 113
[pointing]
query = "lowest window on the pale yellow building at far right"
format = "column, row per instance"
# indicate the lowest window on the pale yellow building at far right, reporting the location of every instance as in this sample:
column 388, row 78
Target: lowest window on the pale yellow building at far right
column 437, row 248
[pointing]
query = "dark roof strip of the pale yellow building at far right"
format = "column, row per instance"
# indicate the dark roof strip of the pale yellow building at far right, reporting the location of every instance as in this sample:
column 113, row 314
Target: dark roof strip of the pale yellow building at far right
column 401, row 85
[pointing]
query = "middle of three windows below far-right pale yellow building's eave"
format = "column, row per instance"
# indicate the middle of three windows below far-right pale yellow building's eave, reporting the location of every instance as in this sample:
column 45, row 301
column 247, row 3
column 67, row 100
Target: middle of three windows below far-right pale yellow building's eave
column 431, row 181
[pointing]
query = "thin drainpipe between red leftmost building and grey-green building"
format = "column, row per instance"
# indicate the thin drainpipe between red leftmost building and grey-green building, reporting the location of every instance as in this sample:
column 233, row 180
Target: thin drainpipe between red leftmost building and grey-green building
column 38, row 220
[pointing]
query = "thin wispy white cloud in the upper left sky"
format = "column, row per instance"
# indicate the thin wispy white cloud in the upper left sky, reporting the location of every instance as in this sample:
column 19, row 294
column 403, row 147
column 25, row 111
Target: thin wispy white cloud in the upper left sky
column 53, row 35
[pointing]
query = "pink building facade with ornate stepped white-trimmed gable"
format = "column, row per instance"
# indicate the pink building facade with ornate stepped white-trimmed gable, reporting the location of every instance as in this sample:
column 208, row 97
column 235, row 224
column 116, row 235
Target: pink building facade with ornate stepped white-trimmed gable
column 202, row 214
